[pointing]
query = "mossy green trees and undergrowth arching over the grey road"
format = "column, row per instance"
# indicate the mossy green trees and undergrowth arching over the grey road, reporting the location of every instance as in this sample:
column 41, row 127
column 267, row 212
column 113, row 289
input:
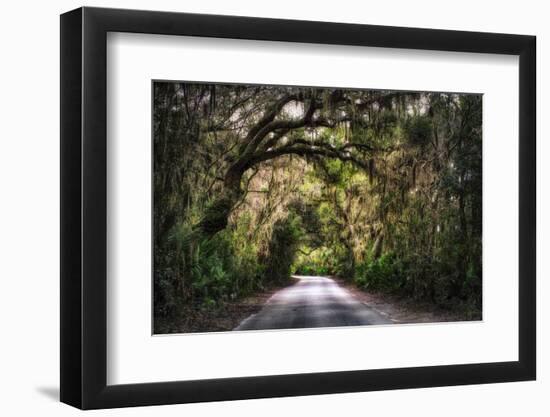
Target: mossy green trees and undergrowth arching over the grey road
column 253, row 182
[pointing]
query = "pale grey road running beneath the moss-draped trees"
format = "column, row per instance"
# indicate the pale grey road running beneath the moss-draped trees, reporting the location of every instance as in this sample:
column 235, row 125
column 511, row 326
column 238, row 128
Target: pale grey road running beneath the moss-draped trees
column 312, row 302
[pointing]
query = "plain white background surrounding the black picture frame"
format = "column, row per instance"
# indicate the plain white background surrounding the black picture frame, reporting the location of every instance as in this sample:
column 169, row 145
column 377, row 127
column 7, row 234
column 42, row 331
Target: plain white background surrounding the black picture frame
column 29, row 211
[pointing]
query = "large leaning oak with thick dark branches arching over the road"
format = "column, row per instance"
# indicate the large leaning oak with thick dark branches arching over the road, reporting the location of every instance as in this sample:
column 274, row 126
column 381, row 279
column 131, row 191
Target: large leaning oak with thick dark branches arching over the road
column 285, row 121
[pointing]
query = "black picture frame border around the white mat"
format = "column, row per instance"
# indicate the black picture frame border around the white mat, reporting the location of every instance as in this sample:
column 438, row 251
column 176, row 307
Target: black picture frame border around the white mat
column 84, row 207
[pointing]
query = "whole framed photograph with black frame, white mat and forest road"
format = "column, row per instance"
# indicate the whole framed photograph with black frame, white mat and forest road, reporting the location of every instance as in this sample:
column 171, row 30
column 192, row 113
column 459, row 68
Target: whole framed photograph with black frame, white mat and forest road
column 258, row 208
